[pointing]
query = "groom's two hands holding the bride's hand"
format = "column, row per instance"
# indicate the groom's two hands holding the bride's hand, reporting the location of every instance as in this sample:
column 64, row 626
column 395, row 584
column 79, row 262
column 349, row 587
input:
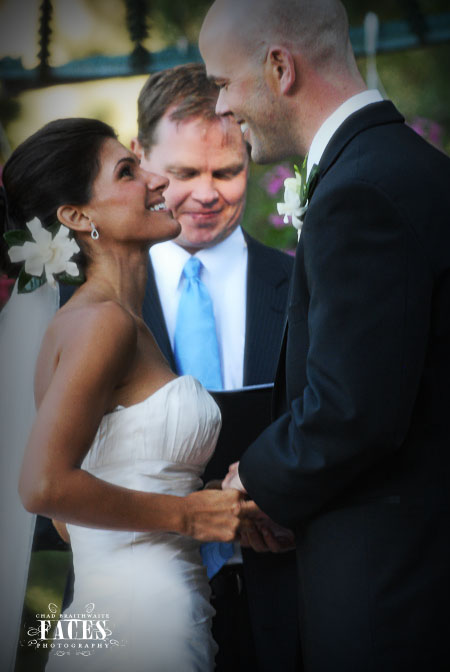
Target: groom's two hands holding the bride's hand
column 255, row 529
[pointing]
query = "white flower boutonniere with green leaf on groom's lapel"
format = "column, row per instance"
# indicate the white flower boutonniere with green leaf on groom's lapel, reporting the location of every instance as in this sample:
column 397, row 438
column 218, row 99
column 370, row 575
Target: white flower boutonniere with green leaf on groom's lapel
column 297, row 195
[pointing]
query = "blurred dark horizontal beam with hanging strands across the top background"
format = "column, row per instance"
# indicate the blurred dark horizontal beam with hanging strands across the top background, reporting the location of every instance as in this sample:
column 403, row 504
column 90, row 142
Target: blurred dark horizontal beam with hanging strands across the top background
column 416, row 30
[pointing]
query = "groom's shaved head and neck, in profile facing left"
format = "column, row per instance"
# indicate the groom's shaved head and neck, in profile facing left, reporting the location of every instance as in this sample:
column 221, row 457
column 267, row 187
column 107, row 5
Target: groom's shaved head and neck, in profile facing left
column 282, row 66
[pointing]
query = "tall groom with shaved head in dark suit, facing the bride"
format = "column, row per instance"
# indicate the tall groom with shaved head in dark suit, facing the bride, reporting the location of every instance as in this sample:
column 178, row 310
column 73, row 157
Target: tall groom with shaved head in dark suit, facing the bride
column 357, row 460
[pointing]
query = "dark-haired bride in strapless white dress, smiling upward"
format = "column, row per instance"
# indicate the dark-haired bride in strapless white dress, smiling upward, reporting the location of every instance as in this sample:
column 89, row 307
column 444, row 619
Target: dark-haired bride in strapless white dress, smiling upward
column 118, row 444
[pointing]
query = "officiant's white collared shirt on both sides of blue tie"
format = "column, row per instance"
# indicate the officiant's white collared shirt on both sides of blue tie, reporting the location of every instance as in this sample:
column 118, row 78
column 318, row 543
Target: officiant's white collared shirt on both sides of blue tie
column 224, row 274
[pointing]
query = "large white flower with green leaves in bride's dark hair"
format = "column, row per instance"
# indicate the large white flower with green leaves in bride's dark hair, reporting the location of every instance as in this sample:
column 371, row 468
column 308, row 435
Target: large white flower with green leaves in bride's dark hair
column 46, row 253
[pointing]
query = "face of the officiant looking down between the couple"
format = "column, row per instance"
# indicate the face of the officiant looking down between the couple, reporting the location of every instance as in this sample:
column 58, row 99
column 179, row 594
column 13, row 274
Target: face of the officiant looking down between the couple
column 206, row 163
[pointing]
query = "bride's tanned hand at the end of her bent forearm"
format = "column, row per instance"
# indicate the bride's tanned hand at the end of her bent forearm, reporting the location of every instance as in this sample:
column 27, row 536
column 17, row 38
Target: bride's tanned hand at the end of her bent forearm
column 212, row 515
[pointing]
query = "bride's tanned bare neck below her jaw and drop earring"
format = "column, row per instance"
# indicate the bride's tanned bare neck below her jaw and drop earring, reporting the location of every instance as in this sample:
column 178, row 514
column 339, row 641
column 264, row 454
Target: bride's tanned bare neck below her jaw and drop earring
column 121, row 278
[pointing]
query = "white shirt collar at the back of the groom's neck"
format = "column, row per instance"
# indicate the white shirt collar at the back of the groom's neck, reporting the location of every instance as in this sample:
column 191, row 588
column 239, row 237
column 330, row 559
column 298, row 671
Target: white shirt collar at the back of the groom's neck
column 330, row 125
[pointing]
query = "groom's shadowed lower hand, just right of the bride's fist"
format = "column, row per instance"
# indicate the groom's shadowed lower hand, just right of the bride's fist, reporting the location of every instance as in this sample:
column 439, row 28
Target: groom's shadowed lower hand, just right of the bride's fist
column 261, row 533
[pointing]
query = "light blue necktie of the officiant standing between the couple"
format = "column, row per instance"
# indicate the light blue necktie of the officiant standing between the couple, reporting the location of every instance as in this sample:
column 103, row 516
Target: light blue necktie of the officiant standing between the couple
column 197, row 353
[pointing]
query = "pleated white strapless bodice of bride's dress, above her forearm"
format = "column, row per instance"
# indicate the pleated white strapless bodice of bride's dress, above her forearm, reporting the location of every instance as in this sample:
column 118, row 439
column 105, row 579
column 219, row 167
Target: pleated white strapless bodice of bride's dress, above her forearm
column 161, row 444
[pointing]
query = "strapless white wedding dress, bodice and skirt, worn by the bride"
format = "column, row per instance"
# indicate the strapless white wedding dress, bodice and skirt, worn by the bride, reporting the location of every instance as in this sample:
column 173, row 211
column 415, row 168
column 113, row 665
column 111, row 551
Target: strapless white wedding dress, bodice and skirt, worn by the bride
column 151, row 586
